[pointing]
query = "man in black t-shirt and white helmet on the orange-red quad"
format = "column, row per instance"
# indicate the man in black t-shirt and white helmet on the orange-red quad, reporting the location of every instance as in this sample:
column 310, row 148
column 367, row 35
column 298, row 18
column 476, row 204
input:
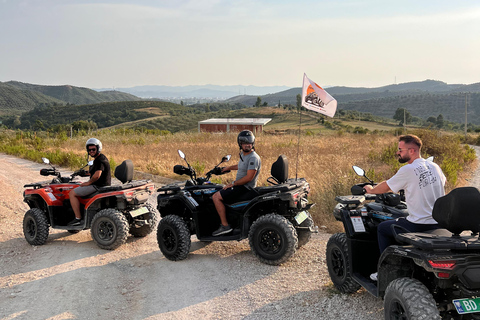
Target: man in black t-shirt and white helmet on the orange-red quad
column 100, row 176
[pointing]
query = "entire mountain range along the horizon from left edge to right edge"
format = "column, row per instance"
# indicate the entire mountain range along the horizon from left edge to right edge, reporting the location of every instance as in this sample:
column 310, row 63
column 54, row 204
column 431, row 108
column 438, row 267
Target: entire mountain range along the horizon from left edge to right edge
column 422, row 99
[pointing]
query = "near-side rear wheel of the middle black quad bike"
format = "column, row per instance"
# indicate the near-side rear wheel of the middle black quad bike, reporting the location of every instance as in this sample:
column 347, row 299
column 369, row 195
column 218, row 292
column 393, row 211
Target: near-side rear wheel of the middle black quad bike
column 273, row 239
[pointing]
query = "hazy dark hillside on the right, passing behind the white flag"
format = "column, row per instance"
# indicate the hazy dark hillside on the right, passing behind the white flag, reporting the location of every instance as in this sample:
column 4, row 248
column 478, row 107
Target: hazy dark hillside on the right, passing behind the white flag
column 422, row 99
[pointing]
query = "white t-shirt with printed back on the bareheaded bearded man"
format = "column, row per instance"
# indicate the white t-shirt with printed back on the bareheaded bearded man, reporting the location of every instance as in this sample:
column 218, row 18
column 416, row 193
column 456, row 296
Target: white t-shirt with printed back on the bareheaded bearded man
column 423, row 182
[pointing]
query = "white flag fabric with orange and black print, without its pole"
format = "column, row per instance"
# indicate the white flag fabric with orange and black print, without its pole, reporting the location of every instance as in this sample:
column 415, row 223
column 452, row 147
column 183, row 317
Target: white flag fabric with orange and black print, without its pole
column 316, row 99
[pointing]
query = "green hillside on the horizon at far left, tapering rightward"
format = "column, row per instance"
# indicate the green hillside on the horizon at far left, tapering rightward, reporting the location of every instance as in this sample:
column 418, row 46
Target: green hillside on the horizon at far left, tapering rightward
column 17, row 97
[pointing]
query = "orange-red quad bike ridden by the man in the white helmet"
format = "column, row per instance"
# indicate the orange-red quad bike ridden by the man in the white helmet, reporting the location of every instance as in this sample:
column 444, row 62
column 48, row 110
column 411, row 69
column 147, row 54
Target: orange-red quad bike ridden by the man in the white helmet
column 111, row 213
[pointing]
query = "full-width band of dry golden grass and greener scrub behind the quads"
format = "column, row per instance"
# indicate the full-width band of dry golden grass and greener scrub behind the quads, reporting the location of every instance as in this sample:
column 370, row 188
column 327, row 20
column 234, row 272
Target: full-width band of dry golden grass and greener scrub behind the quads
column 325, row 160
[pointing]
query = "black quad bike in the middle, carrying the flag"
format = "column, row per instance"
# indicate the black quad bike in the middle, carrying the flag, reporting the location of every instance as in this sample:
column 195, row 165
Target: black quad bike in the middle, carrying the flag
column 274, row 218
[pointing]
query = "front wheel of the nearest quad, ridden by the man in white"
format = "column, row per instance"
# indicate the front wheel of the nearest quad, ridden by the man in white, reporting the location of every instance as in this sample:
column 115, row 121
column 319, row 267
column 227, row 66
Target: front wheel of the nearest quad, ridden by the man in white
column 338, row 264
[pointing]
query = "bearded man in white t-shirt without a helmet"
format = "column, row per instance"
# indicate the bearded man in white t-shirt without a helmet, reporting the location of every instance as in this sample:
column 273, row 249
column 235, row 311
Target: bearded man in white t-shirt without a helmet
column 423, row 182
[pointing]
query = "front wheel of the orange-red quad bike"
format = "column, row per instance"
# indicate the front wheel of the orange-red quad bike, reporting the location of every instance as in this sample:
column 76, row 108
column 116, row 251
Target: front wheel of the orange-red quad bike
column 35, row 227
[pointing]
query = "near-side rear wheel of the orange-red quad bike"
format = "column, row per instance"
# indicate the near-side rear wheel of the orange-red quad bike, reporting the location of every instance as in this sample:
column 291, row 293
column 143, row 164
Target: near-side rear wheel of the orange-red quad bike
column 109, row 229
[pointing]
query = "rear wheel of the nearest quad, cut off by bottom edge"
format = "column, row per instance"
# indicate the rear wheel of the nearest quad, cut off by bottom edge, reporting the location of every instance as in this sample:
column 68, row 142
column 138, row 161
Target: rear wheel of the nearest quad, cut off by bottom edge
column 409, row 299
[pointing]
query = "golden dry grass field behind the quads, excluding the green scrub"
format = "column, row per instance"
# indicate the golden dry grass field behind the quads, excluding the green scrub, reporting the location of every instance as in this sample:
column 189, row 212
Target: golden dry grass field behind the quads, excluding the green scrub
column 326, row 161
